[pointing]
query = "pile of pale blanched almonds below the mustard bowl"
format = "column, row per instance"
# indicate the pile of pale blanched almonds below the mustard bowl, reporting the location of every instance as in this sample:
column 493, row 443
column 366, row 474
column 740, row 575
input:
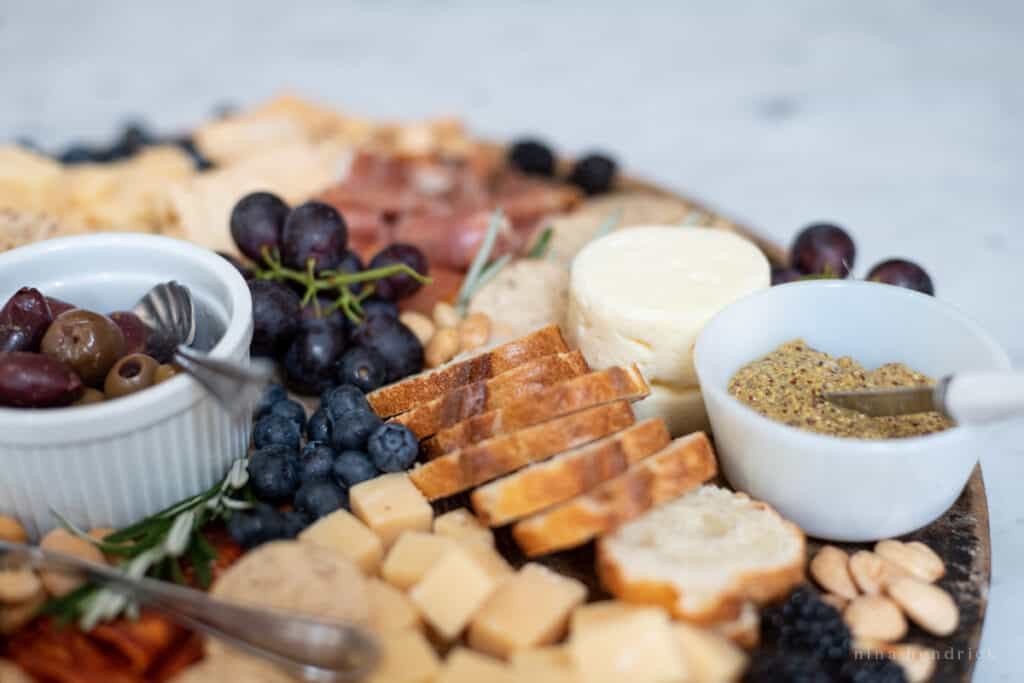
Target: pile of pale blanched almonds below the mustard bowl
column 879, row 591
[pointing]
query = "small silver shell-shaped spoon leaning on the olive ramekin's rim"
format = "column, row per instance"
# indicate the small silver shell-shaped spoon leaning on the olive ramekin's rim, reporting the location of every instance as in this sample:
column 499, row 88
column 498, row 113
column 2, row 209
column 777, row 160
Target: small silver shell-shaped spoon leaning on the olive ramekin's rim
column 179, row 330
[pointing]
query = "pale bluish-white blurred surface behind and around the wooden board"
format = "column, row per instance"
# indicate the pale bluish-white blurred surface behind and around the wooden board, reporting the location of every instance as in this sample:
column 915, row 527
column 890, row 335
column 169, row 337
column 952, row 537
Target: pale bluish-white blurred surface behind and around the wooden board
column 900, row 120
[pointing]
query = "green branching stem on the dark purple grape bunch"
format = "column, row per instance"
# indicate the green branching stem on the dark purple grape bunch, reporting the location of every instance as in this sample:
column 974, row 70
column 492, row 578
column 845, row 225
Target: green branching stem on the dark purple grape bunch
column 332, row 282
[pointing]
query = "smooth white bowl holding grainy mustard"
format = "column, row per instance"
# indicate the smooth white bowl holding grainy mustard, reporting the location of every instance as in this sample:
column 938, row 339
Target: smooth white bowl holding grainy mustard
column 844, row 489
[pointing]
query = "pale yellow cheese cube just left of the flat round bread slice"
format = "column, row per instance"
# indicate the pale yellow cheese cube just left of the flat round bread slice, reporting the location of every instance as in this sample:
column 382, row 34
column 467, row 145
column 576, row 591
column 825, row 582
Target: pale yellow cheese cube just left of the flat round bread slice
column 531, row 609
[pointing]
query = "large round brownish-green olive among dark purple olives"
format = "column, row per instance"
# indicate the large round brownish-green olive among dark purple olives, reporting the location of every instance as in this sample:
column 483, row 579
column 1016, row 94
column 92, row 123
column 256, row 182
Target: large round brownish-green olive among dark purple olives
column 89, row 343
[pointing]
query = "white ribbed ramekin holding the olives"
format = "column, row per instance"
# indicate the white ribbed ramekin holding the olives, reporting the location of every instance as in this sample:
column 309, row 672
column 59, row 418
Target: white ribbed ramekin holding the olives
column 111, row 464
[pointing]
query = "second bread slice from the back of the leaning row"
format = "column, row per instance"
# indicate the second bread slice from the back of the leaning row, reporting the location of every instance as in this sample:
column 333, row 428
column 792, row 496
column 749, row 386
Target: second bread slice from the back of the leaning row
column 518, row 385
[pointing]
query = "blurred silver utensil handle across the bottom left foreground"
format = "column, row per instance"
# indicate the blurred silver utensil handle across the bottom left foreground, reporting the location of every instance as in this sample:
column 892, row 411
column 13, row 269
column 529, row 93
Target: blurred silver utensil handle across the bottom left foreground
column 309, row 649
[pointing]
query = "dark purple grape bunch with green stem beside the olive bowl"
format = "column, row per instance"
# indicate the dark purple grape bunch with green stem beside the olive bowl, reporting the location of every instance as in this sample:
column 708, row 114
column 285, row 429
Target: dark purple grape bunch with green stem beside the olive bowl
column 317, row 310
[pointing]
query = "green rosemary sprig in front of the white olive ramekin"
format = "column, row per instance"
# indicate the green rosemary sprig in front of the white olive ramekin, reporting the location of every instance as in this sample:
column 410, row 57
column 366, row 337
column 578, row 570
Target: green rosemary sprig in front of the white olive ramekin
column 156, row 547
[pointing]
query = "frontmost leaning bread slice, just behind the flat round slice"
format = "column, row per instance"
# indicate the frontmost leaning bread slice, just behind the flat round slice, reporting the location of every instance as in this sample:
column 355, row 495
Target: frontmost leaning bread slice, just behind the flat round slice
column 685, row 464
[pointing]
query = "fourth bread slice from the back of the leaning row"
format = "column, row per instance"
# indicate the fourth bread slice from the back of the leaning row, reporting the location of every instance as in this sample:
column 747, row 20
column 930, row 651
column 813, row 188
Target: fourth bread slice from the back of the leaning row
column 483, row 462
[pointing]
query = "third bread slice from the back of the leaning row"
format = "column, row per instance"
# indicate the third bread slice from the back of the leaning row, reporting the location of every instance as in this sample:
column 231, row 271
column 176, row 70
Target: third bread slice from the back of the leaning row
column 568, row 397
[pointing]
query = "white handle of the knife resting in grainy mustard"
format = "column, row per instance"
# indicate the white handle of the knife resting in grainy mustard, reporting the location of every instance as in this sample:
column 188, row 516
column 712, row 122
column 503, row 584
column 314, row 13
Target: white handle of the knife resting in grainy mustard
column 983, row 398
